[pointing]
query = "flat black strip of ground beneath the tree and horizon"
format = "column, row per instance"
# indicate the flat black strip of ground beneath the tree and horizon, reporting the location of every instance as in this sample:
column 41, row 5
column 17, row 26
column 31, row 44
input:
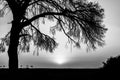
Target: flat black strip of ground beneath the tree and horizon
column 62, row 74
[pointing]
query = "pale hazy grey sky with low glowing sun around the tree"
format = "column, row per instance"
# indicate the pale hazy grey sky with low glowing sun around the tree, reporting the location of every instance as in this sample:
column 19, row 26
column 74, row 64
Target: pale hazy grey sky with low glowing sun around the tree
column 63, row 57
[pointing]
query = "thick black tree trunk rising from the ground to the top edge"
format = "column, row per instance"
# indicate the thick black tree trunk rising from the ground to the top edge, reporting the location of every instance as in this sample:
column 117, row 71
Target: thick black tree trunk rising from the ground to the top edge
column 18, row 12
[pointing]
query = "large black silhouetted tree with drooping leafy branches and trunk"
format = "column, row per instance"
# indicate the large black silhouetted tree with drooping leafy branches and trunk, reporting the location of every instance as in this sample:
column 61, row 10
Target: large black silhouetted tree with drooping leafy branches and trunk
column 80, row 21
